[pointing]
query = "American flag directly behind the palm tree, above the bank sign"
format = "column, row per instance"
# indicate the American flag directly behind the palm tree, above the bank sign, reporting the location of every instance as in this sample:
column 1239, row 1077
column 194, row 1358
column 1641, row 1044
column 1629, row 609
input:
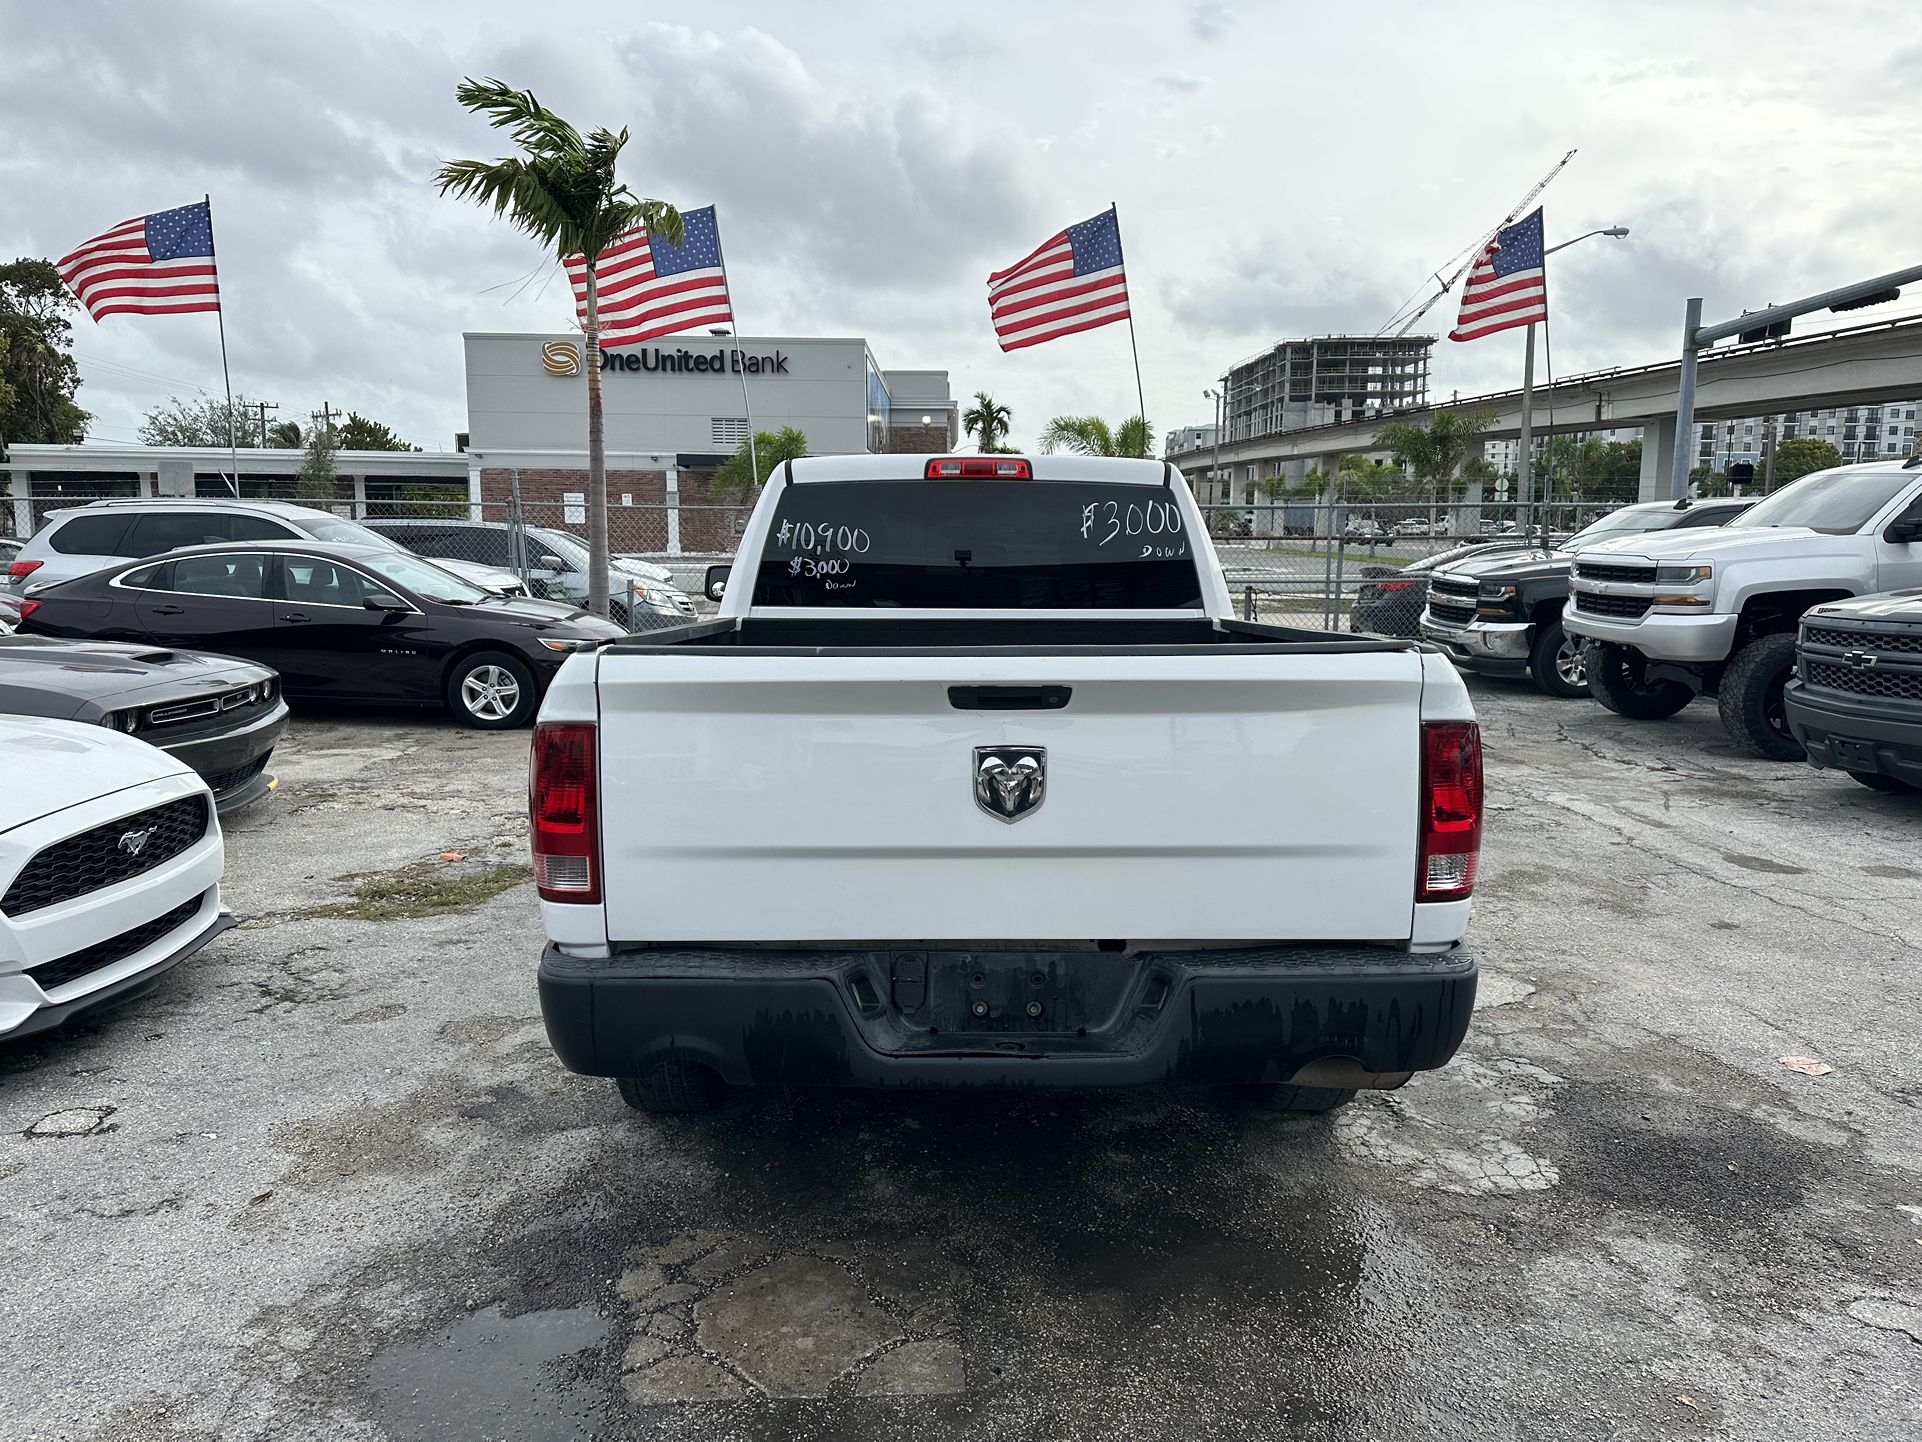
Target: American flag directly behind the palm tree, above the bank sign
column 651, row 289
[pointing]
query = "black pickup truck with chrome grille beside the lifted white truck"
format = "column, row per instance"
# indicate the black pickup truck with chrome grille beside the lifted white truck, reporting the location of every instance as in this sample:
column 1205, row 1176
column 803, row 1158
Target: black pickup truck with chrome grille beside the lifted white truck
column 1500, row 616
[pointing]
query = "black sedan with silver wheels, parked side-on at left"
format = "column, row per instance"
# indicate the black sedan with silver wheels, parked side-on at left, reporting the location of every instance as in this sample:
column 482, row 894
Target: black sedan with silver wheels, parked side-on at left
column 341, row 624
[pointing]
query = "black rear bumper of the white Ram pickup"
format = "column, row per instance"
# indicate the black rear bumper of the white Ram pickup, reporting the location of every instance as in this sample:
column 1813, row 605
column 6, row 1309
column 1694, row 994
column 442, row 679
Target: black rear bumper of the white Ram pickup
column 912, row 1018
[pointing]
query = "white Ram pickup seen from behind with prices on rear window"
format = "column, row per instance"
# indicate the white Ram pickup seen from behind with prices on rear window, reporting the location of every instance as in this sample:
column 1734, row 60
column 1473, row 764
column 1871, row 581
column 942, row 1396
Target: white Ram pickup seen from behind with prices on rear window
column 977, row 782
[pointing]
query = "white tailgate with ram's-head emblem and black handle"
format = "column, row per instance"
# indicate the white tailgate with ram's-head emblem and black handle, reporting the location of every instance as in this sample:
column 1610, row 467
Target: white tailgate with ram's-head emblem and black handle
column 833, row 799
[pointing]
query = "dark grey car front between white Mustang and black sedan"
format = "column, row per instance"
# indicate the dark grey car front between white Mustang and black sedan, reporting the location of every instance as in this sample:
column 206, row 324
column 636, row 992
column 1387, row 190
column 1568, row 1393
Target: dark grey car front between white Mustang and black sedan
column 216, row 714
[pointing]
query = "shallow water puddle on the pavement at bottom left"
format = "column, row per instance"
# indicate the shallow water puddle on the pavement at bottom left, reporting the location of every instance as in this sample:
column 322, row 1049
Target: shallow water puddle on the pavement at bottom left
column 491, row 1378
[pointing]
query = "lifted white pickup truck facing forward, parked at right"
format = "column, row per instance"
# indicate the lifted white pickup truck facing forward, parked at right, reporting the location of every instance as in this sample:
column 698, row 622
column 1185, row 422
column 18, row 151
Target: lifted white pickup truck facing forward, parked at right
column 1677, row 614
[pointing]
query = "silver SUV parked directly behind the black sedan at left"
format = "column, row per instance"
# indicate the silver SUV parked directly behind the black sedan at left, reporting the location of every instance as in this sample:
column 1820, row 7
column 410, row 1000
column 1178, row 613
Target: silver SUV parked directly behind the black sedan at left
column 93, row 537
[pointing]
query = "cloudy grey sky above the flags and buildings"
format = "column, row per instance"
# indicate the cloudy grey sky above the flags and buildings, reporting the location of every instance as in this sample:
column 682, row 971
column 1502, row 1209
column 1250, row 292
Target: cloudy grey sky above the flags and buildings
column 1281, row 168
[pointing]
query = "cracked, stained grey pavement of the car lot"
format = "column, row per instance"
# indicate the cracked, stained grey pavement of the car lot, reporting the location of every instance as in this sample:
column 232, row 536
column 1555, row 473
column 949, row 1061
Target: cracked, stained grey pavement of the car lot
column 339, row 1189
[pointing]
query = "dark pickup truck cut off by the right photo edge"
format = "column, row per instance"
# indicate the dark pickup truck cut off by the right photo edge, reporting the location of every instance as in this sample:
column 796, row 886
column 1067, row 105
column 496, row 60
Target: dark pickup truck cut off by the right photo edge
column 1856, row 701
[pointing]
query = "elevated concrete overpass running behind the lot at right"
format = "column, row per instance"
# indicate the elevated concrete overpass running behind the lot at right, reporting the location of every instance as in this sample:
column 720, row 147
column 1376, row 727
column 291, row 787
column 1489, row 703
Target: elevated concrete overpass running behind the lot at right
column 1860, row 364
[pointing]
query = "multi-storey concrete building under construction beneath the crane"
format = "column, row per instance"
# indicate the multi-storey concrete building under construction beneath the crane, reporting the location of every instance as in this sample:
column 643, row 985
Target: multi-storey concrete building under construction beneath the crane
column 1327, row 380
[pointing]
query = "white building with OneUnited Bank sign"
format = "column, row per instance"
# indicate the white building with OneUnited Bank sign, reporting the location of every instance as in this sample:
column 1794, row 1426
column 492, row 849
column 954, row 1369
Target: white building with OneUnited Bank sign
column 676, row 409
